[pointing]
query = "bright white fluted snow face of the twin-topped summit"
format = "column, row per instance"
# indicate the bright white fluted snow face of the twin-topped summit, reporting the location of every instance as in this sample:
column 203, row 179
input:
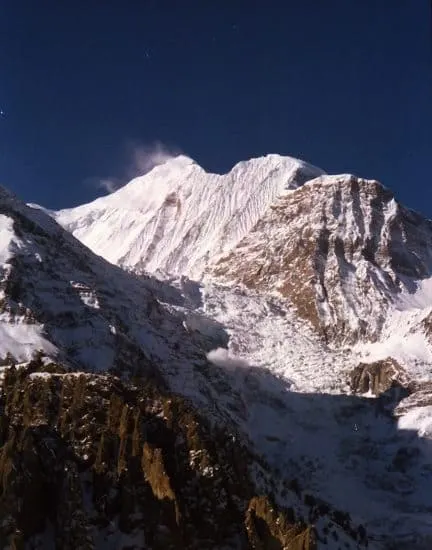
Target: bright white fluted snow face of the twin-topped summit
column 178, row 217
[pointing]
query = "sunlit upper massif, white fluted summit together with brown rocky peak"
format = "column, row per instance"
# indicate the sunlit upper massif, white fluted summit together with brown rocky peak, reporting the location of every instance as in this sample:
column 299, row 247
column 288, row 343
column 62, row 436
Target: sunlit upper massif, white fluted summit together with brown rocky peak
column 338, row 246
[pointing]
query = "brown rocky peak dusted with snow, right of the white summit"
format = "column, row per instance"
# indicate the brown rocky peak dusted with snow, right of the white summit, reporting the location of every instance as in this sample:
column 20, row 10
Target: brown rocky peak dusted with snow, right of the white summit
column 341, row 249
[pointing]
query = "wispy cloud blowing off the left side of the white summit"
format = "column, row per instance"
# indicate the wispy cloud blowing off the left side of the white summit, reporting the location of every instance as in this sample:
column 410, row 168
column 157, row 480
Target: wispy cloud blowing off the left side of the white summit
column 141, row 159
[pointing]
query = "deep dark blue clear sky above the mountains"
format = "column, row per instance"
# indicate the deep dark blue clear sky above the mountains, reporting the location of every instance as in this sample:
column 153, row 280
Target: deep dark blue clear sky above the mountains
column 344, row 84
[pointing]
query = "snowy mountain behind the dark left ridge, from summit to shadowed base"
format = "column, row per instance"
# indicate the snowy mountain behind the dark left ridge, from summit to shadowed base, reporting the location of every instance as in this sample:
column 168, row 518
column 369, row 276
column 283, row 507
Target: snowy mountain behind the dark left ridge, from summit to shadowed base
column 317, row 289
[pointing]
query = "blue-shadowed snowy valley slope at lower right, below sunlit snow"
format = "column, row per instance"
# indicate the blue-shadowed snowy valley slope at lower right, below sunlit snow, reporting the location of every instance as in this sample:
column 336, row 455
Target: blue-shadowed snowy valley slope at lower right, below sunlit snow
column 346, row 450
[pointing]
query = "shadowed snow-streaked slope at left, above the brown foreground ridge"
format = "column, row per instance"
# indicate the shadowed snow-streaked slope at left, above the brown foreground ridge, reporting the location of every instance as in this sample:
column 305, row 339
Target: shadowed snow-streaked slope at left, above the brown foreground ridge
column 56, row 296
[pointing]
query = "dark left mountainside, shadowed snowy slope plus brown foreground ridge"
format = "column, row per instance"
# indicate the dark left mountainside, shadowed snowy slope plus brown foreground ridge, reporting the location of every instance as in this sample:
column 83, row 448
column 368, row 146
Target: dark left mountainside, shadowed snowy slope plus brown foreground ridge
column 116, row 431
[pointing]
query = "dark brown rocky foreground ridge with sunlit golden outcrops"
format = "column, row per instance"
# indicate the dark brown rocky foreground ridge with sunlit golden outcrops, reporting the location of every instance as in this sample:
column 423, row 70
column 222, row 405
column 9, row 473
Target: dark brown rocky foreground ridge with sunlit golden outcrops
column 89, row 462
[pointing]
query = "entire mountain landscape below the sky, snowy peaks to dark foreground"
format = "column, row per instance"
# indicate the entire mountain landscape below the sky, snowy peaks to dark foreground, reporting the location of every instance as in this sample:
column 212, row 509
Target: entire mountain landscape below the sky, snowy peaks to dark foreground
column 204, row 361
